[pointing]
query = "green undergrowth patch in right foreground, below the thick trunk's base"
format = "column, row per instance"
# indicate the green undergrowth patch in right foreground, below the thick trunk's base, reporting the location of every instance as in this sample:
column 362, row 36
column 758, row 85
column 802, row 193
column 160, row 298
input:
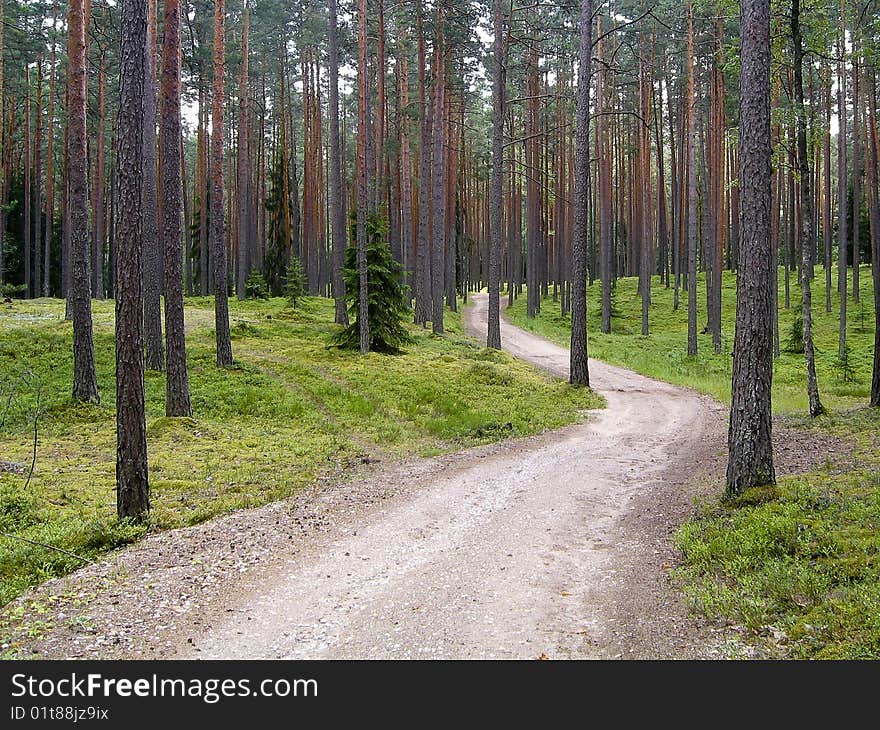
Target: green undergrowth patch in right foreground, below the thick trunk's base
column 797, row 565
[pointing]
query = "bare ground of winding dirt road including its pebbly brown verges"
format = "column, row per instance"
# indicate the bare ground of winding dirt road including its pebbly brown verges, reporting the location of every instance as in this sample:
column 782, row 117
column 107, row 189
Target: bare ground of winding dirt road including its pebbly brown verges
column 551, row 546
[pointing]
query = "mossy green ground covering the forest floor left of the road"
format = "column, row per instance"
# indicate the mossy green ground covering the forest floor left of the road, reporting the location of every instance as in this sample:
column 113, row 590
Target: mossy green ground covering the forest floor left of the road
column 292, row 410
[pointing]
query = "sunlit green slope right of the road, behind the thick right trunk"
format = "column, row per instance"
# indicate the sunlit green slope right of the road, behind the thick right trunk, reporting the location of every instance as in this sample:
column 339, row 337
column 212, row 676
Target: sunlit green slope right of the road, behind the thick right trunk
column 662, row 354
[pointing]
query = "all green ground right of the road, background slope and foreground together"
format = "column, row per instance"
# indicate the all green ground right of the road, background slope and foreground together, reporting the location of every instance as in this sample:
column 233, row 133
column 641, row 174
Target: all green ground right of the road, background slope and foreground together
column 796, row 565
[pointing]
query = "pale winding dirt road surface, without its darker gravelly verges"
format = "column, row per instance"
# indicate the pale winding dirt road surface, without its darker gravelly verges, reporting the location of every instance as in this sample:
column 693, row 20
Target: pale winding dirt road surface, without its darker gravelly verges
column 548, row 549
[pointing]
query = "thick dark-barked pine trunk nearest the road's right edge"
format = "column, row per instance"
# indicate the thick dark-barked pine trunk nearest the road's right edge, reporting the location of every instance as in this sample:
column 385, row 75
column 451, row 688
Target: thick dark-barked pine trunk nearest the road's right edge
column 750, row 461
